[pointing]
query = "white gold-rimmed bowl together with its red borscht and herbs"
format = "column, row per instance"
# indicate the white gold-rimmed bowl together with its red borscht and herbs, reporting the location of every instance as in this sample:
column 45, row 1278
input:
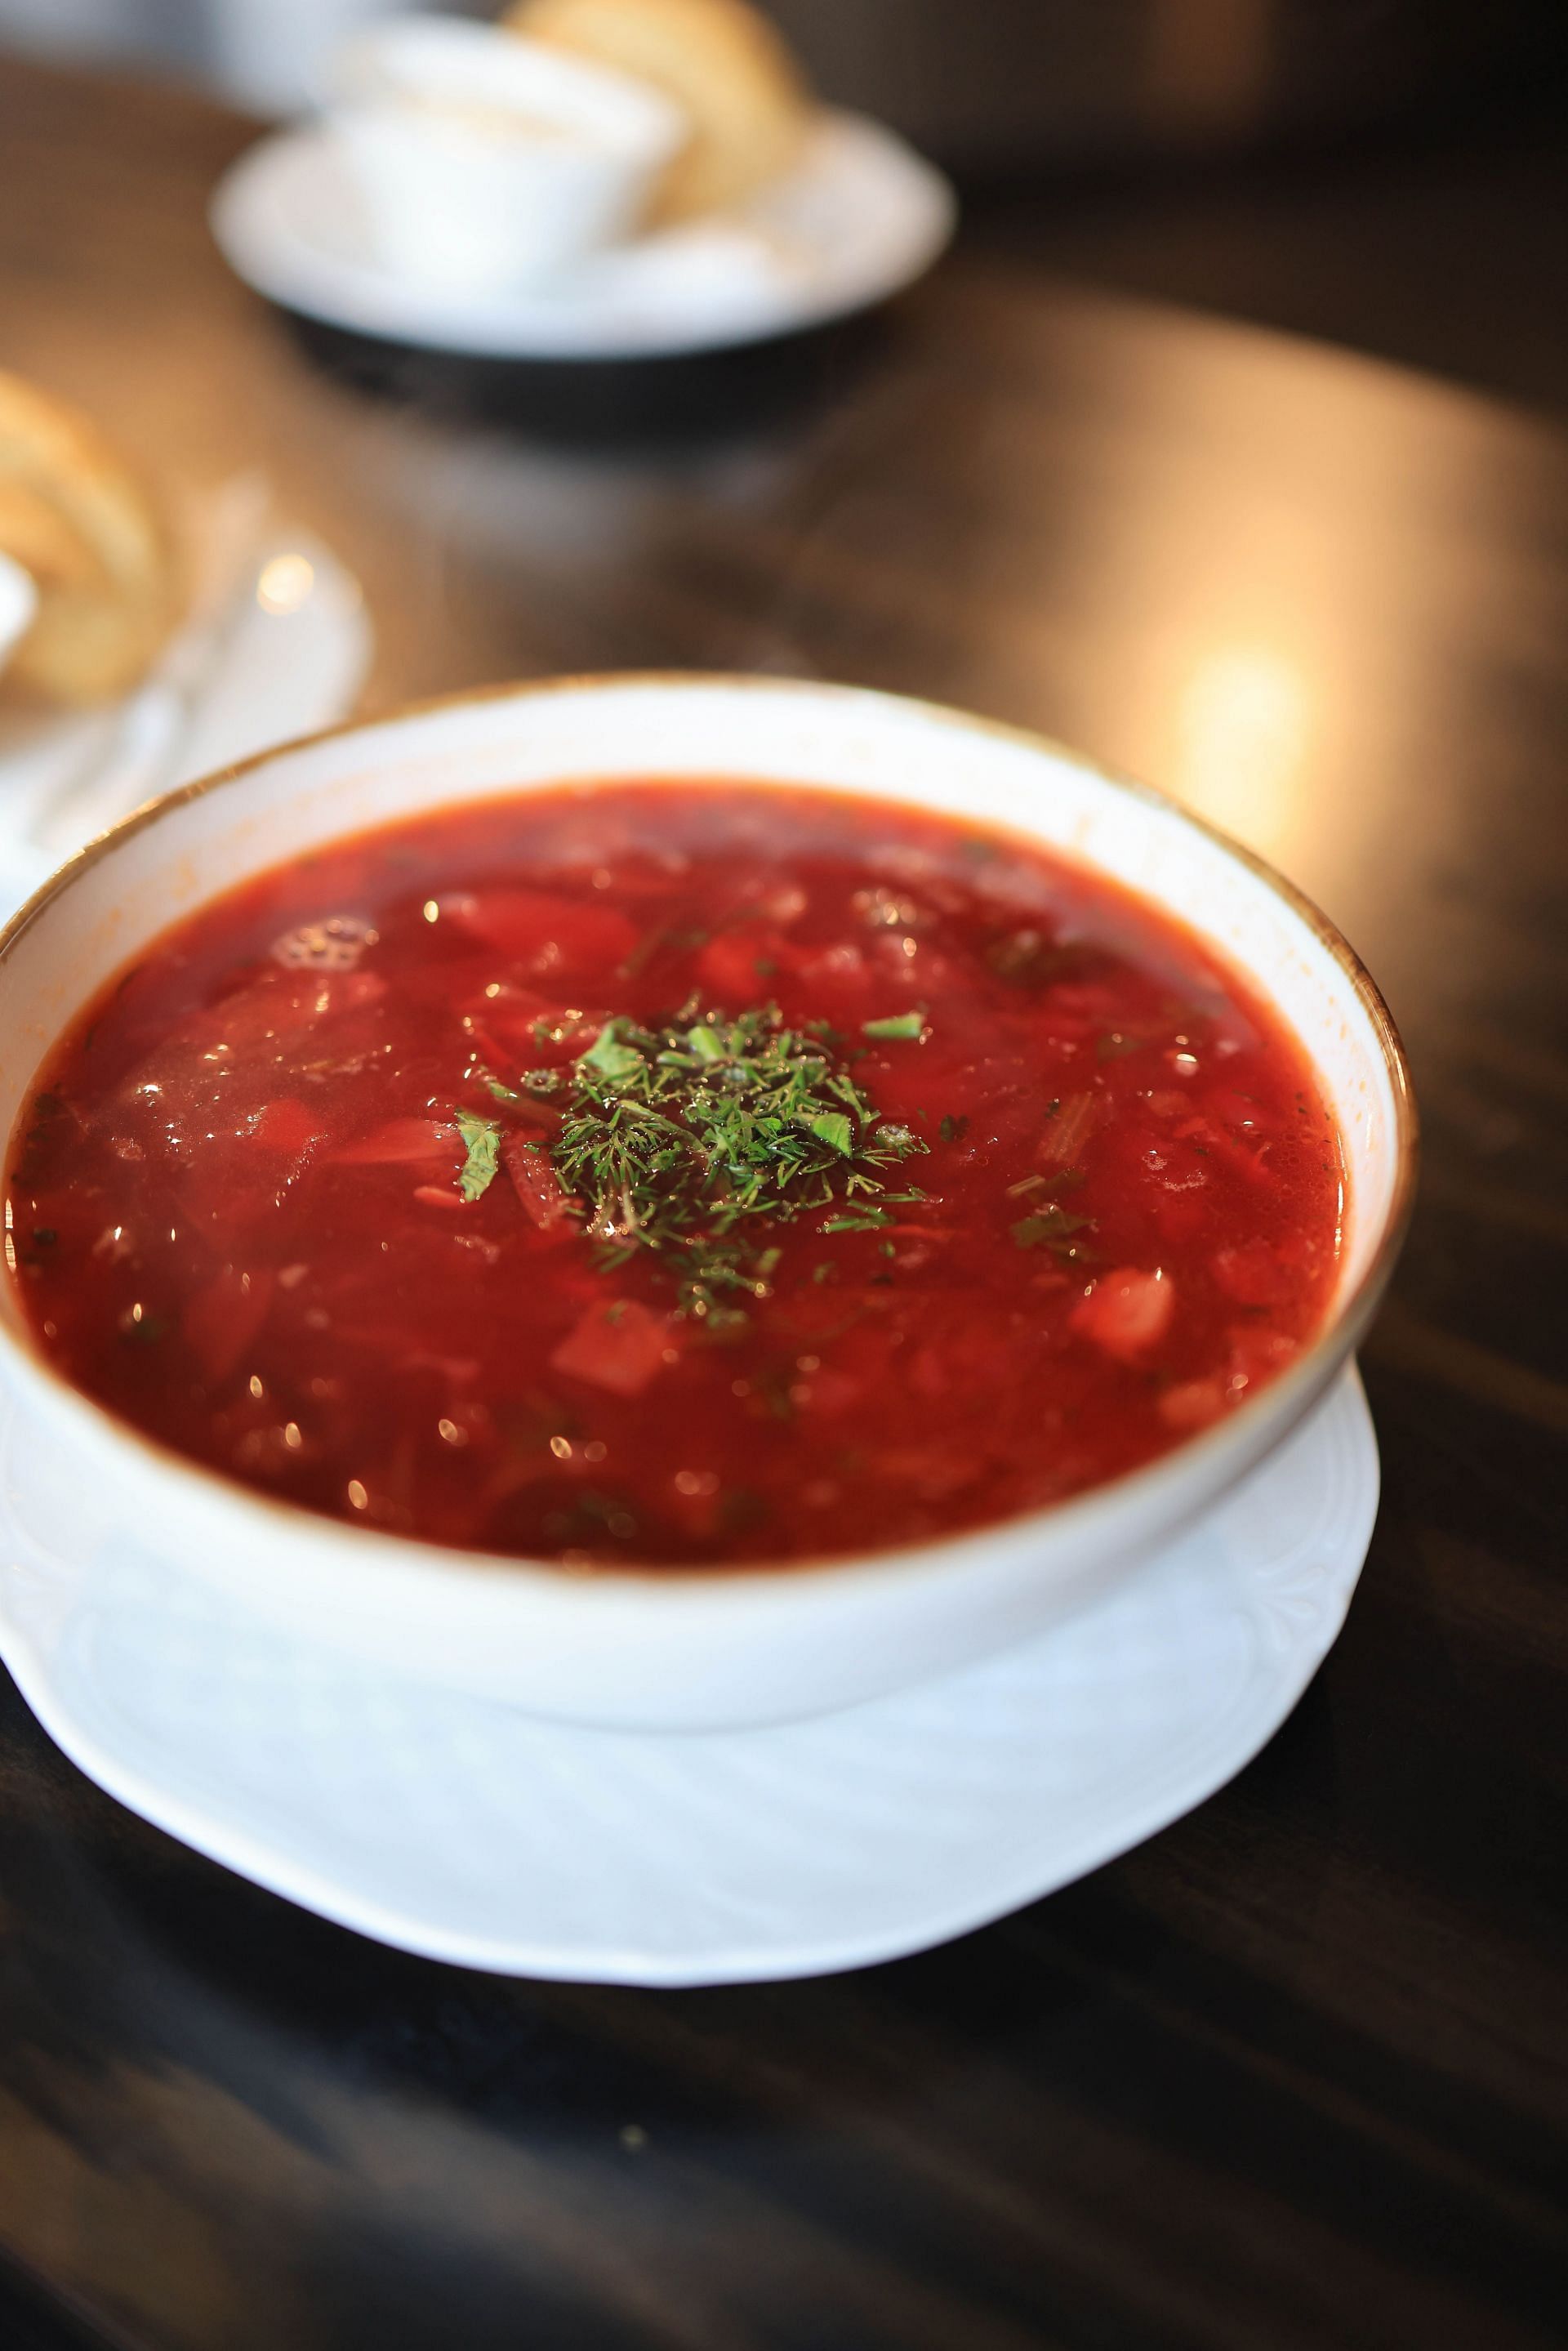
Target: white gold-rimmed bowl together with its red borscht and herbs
column 678, row 1200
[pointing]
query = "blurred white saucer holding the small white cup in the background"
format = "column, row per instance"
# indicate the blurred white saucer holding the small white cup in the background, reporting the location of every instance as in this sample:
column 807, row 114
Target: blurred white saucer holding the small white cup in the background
column 859, row 217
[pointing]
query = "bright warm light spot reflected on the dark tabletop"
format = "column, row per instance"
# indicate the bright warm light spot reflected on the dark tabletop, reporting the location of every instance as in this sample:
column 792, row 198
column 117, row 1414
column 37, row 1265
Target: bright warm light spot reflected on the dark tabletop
column 1240, row 744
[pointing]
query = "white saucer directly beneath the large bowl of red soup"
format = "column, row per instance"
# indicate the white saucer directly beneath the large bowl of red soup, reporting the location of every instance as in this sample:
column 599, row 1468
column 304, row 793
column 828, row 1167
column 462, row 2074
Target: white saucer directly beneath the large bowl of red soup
column 469, row 1833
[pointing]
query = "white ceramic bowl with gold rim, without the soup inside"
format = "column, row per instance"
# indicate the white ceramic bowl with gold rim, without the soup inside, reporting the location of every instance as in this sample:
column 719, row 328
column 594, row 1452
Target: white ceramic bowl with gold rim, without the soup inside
column 674, row 1649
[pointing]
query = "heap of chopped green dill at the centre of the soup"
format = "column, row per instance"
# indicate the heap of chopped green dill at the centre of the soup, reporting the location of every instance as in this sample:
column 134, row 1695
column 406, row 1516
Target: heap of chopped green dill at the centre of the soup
column 676, row 1137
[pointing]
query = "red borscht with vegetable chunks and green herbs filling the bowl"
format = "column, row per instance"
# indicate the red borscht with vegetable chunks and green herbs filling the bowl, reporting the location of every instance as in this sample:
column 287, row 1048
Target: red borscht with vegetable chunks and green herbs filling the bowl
column 676, row 1174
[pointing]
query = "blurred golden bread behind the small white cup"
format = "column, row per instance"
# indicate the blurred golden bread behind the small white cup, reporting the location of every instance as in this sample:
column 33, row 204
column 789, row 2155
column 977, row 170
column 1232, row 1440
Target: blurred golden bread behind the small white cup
column 721, row 62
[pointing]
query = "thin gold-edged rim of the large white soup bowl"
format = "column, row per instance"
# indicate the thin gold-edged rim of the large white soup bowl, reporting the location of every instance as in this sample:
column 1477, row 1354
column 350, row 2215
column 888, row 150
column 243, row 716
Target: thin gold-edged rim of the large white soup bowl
column 1285, row 1398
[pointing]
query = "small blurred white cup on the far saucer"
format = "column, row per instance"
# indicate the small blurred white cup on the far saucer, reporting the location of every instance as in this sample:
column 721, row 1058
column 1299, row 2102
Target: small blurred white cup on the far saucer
column 490, row 161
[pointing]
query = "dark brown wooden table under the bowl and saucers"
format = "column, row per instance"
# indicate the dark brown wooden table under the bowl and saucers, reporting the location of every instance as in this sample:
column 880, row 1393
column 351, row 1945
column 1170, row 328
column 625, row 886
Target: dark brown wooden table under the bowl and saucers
column 1285, row 2079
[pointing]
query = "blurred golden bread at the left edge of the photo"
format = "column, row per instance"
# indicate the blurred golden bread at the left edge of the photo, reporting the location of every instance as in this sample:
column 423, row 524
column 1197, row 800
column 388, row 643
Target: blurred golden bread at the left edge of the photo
column 76, row 518
